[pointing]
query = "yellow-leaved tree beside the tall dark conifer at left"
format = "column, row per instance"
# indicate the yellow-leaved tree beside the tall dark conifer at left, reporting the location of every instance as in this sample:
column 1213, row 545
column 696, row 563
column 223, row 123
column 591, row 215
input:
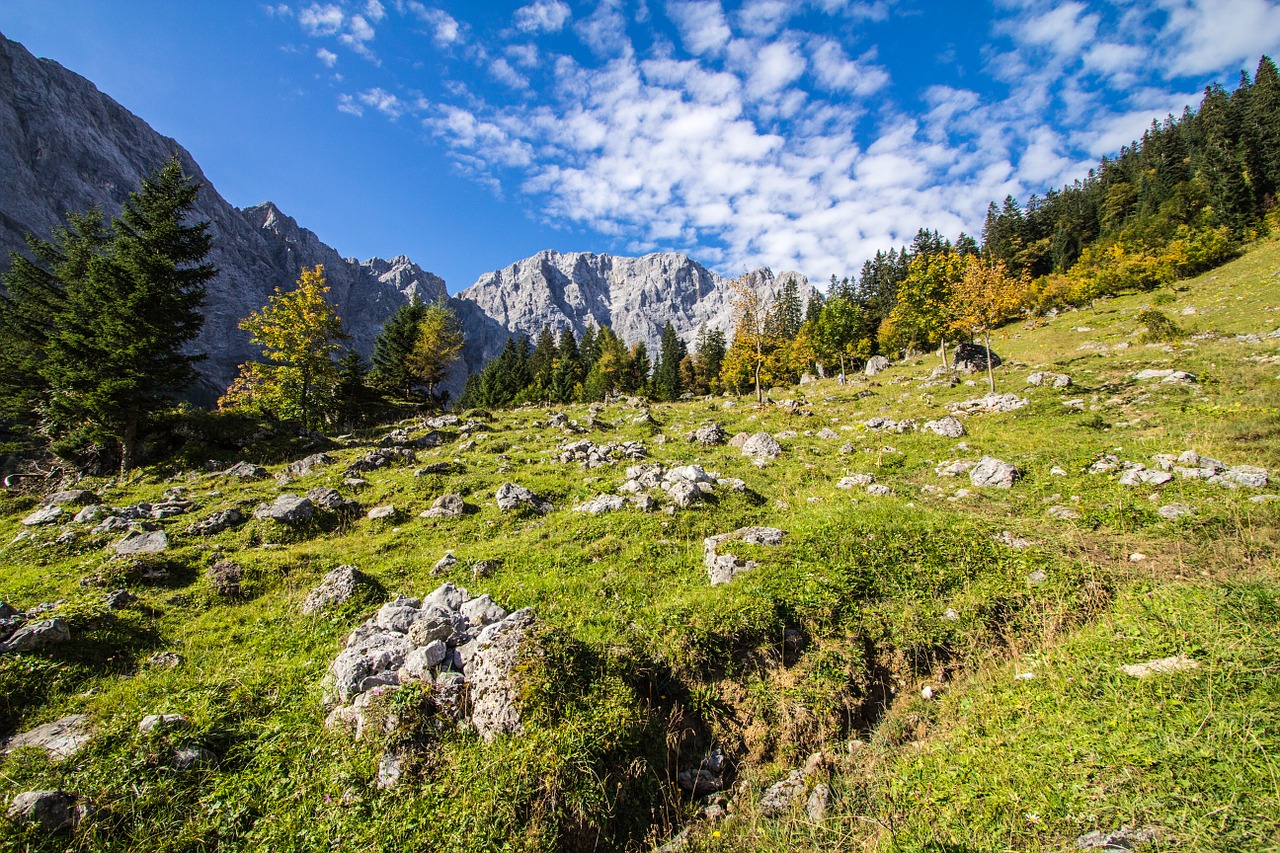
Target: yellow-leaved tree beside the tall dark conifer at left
column 299, row 332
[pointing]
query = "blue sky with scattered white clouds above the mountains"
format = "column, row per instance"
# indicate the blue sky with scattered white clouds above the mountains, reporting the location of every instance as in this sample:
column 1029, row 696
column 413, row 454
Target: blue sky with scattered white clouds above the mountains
column 799, row 135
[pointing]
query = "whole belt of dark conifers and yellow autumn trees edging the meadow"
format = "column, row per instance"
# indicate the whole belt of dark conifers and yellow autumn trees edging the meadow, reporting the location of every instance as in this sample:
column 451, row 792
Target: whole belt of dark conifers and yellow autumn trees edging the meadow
column 95, row 322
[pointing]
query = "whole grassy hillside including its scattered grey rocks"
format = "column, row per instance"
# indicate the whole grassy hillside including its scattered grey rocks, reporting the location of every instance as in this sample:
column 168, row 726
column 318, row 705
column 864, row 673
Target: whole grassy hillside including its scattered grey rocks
column 925, row 664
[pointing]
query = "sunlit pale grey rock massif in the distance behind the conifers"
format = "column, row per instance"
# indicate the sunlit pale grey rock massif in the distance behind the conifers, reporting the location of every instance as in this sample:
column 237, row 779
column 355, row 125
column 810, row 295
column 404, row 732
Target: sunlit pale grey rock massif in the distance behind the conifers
column 636, row 297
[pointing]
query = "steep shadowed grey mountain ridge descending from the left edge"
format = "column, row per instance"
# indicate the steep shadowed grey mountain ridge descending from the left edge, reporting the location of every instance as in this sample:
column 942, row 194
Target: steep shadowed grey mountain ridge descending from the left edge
column 67, row 147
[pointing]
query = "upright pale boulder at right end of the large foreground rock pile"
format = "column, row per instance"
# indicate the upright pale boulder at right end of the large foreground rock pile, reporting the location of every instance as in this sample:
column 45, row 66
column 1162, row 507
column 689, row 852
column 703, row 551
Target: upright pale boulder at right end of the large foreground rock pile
column 492, row 676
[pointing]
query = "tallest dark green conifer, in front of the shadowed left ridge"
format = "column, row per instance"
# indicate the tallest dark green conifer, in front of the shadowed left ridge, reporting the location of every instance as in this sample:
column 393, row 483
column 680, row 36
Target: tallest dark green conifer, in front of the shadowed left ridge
column 117, row 350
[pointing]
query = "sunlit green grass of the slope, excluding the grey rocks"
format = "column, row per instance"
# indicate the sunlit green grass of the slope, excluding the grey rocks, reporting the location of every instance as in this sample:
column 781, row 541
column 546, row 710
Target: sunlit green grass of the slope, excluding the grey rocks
column 646, row 665
